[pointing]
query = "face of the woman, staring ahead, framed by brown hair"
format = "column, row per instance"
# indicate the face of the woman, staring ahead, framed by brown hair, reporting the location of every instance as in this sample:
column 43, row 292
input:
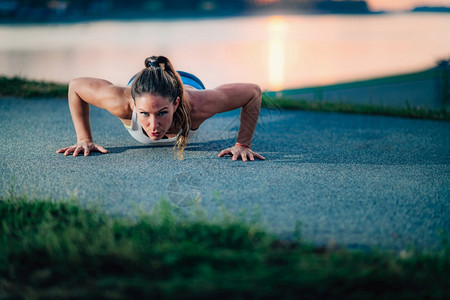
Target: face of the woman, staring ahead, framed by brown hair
column 155, row 113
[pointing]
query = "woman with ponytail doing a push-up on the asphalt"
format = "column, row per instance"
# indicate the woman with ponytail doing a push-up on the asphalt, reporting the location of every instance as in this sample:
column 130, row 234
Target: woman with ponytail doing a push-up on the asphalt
column 163, row 107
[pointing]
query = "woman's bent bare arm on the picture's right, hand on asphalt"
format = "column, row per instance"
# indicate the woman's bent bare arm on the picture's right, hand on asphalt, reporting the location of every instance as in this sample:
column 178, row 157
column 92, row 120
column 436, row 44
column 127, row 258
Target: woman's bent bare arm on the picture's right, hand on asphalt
column 232, row 96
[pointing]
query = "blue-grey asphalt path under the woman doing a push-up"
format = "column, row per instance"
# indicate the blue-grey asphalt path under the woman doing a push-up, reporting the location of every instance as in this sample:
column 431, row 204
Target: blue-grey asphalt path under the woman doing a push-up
column 354, row 180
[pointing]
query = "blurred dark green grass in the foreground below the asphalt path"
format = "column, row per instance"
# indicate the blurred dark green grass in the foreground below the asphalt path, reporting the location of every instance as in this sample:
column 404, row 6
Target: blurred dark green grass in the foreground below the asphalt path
column 59, row 250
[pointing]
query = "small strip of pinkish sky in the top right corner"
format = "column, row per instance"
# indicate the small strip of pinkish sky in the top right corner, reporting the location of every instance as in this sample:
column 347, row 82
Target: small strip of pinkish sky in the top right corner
column 396, row 5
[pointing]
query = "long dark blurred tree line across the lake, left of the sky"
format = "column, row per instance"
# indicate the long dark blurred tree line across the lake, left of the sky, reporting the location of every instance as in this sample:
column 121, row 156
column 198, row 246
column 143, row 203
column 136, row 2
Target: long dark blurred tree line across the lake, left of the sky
column 73, row 9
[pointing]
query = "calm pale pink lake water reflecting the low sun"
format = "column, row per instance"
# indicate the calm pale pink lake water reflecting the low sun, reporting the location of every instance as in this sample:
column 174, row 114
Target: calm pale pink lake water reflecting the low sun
column 276, row 52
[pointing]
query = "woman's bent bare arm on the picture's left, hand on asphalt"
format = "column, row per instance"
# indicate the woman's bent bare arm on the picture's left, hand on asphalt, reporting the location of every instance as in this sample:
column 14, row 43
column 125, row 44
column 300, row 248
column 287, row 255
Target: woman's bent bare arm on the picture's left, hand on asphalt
column 84, row 92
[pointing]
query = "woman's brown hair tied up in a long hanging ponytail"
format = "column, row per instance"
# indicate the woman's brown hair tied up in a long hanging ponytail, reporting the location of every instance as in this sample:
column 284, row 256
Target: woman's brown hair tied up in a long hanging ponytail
column 160, row 78
